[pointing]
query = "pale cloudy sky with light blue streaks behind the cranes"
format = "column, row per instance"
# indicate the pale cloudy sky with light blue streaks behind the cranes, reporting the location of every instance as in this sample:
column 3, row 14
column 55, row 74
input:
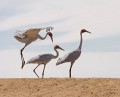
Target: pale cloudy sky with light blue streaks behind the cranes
column 100, row 51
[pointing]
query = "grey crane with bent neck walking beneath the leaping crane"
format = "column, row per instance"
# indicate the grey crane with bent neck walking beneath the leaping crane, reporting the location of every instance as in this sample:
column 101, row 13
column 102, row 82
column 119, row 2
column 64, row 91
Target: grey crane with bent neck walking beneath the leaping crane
column 44, row 59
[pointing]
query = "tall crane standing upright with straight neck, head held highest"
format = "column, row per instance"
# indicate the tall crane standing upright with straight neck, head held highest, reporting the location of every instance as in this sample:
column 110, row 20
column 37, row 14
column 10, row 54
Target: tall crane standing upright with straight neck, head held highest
column 74, row 55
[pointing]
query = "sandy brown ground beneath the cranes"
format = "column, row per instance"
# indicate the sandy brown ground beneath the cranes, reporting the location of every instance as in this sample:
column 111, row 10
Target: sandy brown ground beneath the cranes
column 57, row 87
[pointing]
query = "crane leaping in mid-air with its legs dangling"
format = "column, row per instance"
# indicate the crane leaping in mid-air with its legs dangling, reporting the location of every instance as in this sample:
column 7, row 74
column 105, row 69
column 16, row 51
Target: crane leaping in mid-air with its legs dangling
column 30, row 36
